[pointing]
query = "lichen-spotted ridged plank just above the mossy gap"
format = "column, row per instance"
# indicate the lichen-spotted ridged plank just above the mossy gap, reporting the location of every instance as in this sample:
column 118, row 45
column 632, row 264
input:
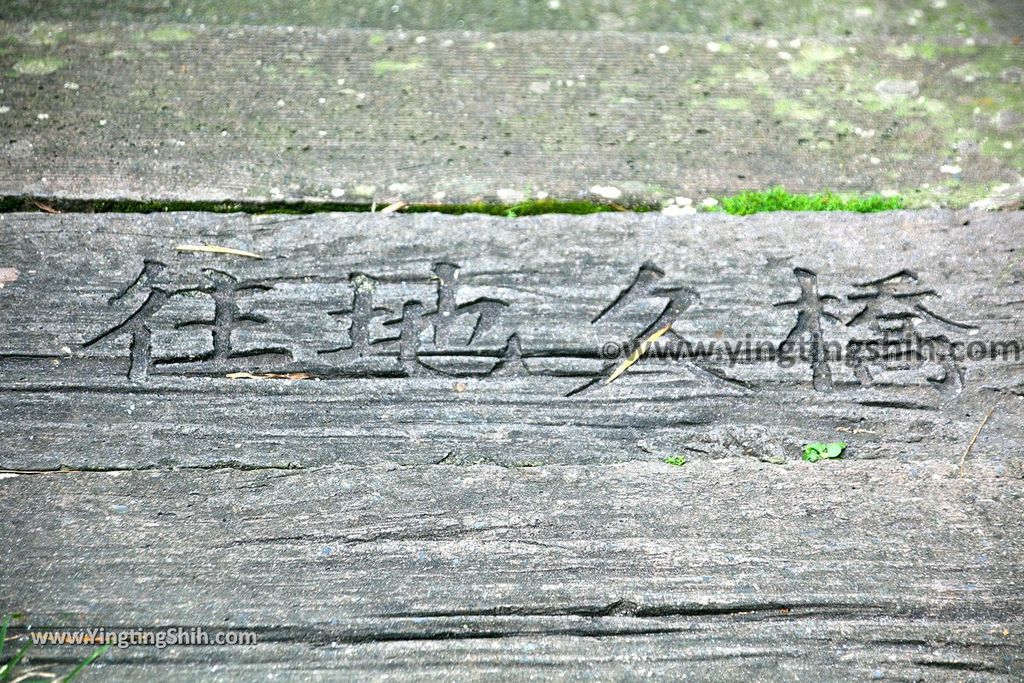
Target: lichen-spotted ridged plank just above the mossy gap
column 191, row 112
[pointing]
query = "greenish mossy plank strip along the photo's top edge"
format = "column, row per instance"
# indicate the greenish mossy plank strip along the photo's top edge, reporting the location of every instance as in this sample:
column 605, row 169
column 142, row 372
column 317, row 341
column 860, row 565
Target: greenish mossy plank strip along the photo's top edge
column 897, row 18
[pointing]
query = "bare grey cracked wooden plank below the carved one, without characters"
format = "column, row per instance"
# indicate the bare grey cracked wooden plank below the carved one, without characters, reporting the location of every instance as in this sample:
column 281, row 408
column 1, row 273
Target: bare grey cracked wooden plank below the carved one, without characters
column 831, row 572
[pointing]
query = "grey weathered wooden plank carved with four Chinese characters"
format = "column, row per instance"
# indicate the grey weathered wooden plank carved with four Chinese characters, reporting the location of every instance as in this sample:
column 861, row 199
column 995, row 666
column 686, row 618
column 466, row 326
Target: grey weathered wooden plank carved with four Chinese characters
column 529, row 385
